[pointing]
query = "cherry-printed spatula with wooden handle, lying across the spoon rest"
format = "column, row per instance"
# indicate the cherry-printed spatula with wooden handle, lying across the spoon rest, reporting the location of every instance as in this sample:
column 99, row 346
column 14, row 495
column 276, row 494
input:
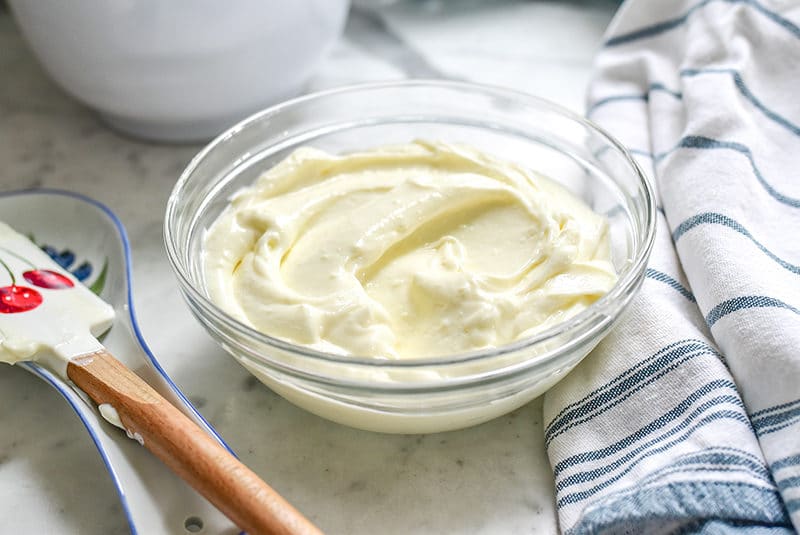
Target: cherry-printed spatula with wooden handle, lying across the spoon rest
column 48, row 316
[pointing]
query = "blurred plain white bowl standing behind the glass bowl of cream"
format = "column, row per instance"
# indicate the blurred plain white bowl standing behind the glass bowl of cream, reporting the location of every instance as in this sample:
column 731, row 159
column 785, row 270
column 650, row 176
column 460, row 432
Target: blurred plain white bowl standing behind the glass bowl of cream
column 179, row 70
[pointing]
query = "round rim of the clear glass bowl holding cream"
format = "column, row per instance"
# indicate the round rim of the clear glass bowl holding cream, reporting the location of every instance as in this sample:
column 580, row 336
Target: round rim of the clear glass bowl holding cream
column 615, row 299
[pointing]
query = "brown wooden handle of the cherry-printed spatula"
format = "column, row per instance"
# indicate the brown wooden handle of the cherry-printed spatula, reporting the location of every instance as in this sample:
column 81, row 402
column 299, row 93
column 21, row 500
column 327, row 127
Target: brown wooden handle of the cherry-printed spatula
column 188, row 450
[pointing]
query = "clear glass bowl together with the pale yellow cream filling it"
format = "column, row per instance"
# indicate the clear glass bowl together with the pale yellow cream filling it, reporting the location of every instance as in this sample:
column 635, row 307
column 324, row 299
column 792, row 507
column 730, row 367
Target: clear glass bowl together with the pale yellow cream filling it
column 410, row 286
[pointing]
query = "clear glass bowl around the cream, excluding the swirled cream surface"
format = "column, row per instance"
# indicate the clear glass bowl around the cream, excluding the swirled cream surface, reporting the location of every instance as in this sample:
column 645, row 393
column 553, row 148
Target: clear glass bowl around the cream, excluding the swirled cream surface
column 435, row 394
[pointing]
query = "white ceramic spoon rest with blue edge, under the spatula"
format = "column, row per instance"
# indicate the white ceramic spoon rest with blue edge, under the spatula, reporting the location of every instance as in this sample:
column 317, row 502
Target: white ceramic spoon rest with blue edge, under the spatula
column 83, row 232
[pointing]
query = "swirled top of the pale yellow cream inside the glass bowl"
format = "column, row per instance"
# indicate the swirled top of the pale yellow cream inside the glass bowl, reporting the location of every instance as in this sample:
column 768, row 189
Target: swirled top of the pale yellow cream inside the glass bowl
column 408, row 251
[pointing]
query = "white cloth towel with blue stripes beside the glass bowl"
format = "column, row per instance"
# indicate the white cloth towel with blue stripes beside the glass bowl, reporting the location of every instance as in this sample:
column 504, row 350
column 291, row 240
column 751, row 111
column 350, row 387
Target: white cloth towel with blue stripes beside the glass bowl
column 687, row 416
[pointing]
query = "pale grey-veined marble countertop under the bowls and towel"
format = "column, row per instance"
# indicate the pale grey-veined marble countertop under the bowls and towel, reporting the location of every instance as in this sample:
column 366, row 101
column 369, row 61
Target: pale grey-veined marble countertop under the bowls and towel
column 493, row 478
